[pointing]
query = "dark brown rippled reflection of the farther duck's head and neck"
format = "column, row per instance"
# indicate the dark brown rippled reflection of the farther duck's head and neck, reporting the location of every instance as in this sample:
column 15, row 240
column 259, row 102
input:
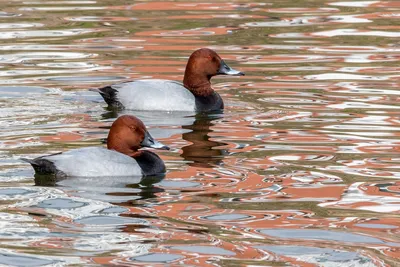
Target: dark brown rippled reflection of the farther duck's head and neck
column 202, row 151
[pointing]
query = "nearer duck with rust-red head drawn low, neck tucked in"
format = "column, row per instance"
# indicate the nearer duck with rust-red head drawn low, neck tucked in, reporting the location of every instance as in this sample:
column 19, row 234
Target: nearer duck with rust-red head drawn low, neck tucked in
column 122, row 156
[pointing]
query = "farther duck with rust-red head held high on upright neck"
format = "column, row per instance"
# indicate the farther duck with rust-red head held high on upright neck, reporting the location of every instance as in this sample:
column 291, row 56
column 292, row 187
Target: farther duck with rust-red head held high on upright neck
column 194, row 94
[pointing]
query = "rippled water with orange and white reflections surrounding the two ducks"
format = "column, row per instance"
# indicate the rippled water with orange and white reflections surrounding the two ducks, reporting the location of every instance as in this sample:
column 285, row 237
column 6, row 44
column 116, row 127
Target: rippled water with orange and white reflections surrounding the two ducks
column 302, row 167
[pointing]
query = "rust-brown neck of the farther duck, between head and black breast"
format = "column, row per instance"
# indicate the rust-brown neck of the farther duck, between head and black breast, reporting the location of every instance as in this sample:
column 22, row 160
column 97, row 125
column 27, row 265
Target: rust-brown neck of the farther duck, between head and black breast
column 198, row 84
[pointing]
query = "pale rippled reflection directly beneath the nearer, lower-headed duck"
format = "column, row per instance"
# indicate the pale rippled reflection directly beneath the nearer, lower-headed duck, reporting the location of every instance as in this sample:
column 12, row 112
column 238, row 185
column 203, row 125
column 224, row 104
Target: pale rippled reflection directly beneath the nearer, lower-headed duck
column 113, row 189
